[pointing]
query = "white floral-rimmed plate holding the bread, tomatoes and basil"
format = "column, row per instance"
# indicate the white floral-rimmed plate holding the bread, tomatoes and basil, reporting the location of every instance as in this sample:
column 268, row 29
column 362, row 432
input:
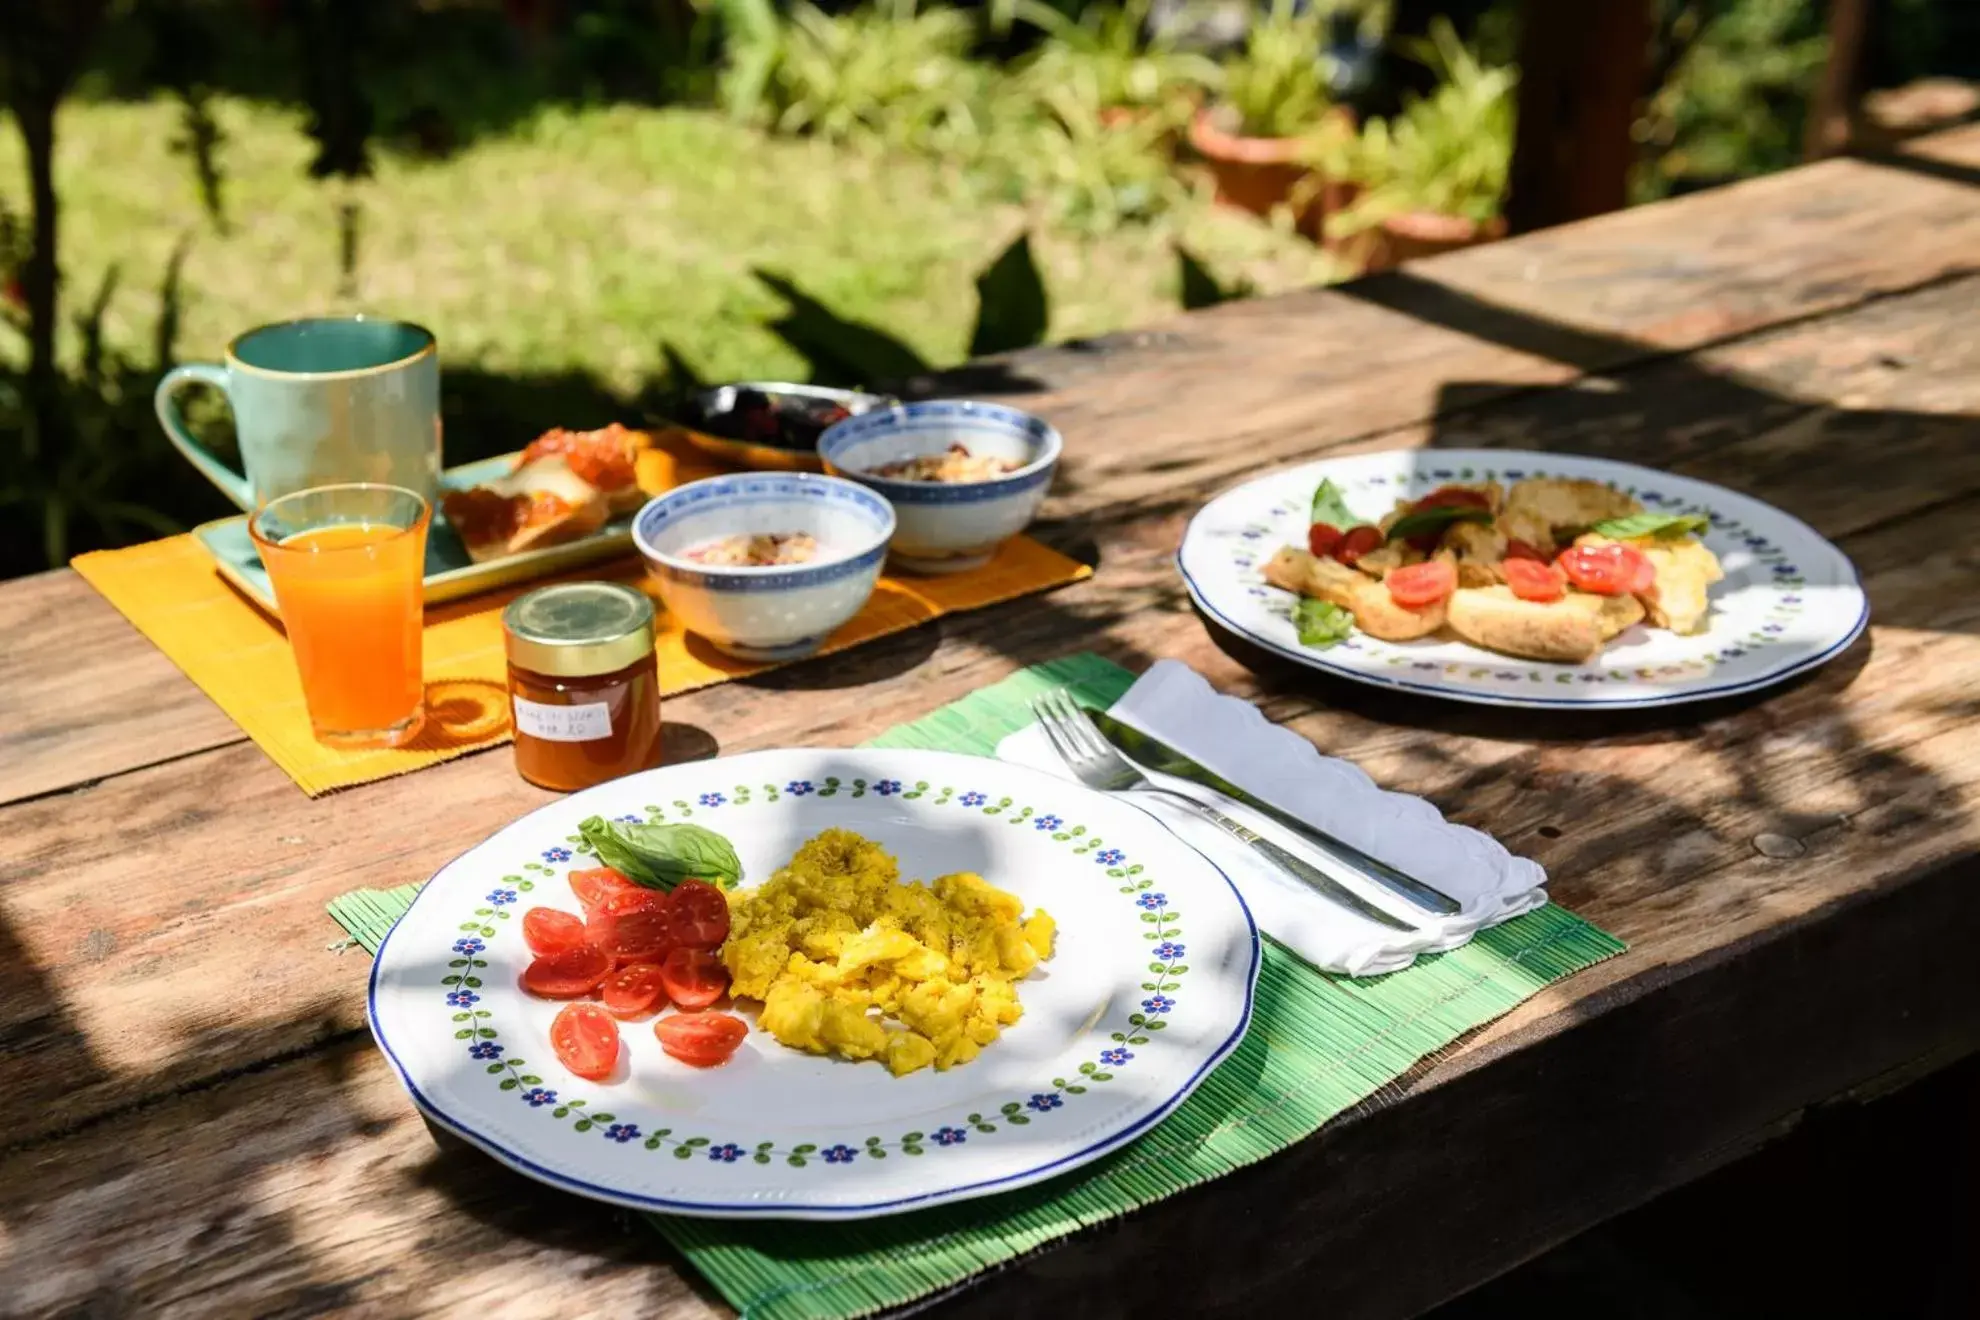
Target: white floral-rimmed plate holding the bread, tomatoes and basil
column 1789, row 601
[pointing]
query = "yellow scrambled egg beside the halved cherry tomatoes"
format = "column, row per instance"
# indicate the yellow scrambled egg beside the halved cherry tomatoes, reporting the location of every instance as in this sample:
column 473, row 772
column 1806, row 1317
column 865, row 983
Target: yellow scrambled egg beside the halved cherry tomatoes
column 837, row 945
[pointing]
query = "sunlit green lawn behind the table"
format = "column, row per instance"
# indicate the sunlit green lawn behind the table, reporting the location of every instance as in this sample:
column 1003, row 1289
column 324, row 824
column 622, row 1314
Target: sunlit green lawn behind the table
column 583, row 240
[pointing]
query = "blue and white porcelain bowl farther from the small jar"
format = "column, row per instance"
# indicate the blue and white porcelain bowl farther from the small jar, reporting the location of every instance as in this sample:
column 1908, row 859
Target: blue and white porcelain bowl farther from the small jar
column 947, row 527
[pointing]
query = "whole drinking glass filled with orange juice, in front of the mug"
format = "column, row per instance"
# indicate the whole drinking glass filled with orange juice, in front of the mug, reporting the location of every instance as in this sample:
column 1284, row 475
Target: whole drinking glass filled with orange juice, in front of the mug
column 349, row 567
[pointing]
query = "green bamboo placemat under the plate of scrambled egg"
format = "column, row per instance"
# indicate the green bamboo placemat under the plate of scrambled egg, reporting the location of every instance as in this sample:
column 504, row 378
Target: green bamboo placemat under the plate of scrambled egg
column 1318, row 1046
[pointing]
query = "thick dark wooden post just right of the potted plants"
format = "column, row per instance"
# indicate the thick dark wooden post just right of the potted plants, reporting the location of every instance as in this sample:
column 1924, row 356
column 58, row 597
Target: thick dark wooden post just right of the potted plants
column 1581, row 78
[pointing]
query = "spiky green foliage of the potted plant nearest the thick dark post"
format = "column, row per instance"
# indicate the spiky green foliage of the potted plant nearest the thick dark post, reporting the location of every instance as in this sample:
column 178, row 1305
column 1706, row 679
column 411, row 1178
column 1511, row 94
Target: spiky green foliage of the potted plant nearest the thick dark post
column 1446, row 153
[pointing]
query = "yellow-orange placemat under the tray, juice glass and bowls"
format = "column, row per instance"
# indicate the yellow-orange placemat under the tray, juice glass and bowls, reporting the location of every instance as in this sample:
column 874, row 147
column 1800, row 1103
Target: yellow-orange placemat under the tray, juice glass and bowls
column 241, row 658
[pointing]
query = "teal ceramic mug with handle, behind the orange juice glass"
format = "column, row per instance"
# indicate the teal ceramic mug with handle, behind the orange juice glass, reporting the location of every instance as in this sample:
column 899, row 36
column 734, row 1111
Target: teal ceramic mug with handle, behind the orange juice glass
column 320, row 403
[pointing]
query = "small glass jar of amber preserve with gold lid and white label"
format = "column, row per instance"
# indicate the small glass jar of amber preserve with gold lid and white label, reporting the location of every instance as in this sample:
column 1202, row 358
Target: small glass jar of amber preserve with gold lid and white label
column 583, row 684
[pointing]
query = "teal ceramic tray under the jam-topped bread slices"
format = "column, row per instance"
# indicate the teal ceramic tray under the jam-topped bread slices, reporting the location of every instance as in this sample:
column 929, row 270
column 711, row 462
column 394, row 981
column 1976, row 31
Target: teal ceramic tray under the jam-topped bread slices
column 450, row 575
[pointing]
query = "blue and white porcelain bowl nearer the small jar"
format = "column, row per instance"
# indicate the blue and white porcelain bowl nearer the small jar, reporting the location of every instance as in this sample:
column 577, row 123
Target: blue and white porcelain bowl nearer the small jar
column 767, row 613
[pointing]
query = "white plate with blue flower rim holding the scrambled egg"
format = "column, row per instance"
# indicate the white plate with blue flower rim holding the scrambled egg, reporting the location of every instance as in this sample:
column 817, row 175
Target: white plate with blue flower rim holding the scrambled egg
column 1147, row 990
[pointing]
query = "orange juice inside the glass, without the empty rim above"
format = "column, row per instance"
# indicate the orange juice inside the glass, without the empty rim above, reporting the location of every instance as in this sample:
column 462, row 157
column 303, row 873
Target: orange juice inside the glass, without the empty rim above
column 351, row 601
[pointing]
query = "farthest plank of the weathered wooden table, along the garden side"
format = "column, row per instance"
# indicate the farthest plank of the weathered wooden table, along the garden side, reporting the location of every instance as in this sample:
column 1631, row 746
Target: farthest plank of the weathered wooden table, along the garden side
column 1155, row 413
